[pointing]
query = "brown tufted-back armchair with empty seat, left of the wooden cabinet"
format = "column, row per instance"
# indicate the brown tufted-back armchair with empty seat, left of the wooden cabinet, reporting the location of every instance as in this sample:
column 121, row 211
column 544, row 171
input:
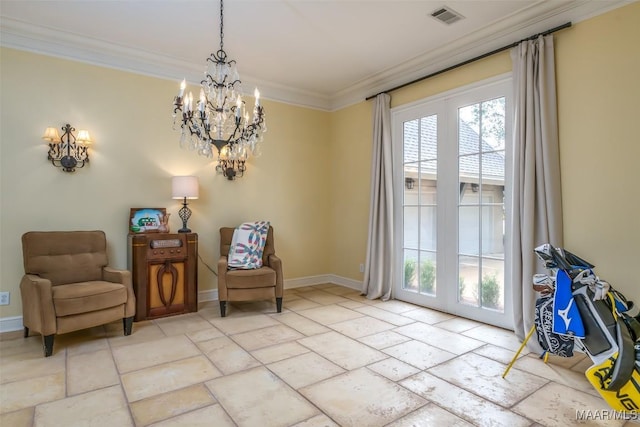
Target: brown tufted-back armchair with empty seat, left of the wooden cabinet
column 67, row 285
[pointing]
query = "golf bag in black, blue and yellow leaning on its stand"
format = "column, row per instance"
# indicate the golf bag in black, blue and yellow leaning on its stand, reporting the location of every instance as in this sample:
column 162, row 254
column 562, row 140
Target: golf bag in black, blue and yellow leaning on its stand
column 578, row 310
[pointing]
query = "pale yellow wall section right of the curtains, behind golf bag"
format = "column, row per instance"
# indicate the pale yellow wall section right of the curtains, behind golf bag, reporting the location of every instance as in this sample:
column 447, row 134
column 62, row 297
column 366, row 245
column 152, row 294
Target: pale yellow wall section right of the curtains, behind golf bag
column 598, row 83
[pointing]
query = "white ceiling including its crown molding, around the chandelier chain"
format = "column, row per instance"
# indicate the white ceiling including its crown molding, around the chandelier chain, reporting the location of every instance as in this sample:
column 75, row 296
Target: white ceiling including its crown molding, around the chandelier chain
column 324, row 54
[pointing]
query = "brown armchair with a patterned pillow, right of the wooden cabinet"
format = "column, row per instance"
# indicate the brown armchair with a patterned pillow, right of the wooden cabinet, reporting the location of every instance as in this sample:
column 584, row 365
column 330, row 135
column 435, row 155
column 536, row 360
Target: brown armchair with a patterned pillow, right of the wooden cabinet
column 243, row 285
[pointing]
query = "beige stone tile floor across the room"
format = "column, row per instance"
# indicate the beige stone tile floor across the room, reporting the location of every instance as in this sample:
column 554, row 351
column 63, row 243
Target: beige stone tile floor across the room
column 331, row 357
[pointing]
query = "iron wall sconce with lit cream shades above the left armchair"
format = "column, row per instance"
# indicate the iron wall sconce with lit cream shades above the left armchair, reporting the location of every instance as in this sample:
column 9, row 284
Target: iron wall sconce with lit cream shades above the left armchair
column 68, row 152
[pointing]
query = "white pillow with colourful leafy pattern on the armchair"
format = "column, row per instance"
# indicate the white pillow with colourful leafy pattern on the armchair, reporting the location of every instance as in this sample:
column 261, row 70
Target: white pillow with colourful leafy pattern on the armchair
column 247, row 245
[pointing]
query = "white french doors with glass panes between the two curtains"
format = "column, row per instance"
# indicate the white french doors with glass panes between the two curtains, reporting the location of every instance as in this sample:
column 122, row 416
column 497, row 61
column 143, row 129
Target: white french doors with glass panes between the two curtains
column 452, row 156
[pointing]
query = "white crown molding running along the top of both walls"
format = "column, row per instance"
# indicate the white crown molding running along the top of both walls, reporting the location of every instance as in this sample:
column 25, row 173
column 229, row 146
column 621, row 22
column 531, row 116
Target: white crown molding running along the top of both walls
column 539, row 17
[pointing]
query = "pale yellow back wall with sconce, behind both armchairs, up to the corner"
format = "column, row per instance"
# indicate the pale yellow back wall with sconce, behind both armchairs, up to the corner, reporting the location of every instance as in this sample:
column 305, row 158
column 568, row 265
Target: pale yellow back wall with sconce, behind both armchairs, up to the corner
column 132, row 160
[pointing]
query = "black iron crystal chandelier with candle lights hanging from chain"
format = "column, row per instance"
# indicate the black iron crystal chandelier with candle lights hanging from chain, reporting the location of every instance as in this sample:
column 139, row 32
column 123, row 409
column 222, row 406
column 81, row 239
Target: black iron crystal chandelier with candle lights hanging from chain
column 220, row 117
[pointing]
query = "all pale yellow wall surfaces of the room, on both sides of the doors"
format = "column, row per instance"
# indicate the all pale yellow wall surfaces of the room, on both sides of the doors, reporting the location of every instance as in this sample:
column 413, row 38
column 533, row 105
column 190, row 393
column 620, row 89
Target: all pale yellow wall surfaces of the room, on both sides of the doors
column 313, row 180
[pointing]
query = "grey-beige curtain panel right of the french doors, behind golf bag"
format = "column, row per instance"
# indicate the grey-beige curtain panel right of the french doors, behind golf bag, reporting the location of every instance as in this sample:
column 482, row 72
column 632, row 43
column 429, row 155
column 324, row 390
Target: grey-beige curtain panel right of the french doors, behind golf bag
column 537, row 200
